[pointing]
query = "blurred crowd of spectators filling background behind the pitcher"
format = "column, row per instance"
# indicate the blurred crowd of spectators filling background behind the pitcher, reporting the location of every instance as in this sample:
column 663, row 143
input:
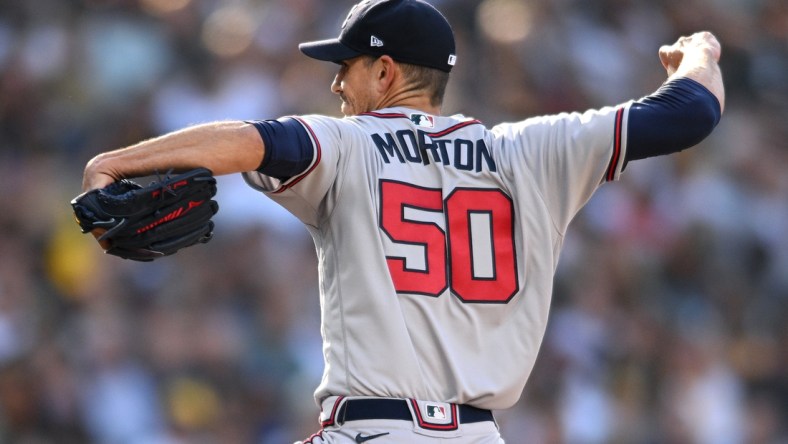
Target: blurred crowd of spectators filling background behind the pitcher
column 670, row 315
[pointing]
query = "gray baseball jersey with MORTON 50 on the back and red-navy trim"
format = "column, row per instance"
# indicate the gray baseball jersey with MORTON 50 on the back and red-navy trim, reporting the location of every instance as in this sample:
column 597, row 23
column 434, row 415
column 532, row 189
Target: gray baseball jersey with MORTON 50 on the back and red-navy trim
column 437, row 241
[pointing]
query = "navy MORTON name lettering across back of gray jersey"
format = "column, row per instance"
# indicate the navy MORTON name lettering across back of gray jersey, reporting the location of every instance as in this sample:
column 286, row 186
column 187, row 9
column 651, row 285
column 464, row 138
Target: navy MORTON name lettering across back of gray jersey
column 422, row 147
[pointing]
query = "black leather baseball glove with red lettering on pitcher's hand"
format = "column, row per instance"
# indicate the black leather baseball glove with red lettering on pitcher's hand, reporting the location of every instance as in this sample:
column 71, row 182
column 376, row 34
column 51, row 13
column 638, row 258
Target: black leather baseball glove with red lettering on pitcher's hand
column 146, row 223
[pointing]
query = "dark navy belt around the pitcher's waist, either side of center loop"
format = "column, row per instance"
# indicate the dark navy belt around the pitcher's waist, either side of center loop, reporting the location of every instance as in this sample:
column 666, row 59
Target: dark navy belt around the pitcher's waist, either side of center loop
column 382, row 408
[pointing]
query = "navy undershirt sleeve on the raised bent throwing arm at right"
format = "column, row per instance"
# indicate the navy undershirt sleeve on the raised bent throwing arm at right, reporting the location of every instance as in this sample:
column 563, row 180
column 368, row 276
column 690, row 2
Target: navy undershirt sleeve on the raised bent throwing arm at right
column 677, row 116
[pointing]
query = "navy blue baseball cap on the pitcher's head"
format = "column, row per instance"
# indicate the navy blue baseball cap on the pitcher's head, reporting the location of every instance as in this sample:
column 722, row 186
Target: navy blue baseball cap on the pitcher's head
column 409, row 31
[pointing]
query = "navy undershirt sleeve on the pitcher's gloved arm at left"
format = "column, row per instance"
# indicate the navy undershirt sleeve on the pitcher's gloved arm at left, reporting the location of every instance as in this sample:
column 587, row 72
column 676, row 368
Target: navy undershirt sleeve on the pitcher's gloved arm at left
column 288, row 149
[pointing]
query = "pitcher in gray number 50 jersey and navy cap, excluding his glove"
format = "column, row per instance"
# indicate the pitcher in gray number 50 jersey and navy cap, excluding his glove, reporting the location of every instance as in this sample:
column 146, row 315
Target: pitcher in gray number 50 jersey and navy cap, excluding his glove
column 437, row 237
